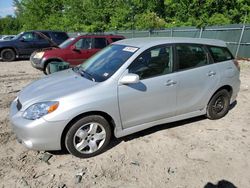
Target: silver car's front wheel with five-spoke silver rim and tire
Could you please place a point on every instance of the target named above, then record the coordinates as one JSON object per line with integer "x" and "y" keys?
{"x": 82, "y": 135}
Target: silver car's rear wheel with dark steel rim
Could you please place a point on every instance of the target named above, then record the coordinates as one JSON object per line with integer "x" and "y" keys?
{"x": 218, "y": 105}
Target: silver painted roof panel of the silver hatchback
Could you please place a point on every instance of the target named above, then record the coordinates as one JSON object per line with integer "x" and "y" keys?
{"x": 154, "y": 41}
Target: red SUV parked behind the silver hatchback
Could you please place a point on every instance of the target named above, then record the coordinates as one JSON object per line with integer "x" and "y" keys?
{"x": 74, "y": 50}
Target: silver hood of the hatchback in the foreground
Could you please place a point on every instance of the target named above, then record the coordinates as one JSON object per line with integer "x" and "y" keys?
{"x": 53, "y": 87}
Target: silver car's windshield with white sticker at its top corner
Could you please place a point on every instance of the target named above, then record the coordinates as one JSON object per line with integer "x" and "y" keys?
{"x": 106, "y": 62}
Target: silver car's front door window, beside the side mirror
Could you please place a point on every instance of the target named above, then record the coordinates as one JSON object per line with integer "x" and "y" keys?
{"x": 154, "y": 62}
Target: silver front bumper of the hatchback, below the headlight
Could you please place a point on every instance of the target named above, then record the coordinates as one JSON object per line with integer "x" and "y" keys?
{"x": 36, "y": 134}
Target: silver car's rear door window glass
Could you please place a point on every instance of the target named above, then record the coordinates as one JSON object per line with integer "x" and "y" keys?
{"x": 191, "y": 56}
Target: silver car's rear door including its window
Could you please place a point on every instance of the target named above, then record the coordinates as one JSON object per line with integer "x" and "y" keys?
{"x": 197, "y": 77}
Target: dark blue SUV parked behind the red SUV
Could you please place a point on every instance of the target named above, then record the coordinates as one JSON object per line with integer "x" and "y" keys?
{"x": 25, "y": 43}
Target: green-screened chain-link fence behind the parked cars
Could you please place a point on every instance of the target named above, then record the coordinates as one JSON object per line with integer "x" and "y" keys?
{"x": 236, "y": 36}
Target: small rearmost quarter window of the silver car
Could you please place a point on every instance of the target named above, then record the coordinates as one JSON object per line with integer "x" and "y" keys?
{"x": 220, "y": 53}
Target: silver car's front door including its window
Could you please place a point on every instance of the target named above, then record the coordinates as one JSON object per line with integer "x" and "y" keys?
{"x": 154, "y": 97}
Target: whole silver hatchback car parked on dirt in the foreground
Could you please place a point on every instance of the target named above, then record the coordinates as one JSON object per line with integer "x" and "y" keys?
{"x": 129, "y": 86}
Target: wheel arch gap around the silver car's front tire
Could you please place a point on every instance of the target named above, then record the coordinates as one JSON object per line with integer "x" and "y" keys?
{"x": 75, "y": 119}
